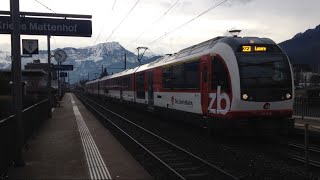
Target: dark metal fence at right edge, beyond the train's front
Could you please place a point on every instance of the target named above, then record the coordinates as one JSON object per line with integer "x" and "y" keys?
{"x": 304, "y": 106}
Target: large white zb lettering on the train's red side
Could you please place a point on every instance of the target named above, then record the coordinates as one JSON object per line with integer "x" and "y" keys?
{"x": 220, "y": 102}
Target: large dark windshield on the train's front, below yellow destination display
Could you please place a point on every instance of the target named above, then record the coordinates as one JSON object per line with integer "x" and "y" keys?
{"x": 264, "y": 75}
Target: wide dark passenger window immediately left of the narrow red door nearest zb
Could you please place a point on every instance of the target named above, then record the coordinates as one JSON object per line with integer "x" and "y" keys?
{"x": 182, "y": 76}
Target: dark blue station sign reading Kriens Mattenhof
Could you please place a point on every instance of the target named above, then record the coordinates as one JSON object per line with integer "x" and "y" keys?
{"x": 48, "y": 26}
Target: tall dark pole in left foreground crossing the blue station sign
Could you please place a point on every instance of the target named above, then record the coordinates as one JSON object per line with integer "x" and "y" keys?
{"x": 16, "y": 57}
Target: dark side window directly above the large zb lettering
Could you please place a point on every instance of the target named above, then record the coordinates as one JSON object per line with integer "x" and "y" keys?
{"x": 219, "y": 75}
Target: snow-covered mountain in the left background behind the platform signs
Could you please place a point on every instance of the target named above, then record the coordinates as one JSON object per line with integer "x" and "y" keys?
{"x": 89, "y": 60}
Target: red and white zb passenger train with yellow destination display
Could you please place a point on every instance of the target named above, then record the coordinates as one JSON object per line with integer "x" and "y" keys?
{"x": 227, "y": 81}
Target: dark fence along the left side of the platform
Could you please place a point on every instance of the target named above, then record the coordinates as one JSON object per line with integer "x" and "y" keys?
{"x": 32, "y": 118}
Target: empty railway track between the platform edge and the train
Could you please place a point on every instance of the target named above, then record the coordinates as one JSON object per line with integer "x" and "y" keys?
{"x": 177, "y": 162}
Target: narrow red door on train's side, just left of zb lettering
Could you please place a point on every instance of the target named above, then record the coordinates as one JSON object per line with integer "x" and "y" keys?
{"x": 204, "y": 69}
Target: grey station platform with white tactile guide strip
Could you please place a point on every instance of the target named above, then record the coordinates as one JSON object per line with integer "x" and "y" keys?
{"x": 74, "y": 145}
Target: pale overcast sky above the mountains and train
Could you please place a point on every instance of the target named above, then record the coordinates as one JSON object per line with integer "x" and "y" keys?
{"x": 147, "y": 22}
